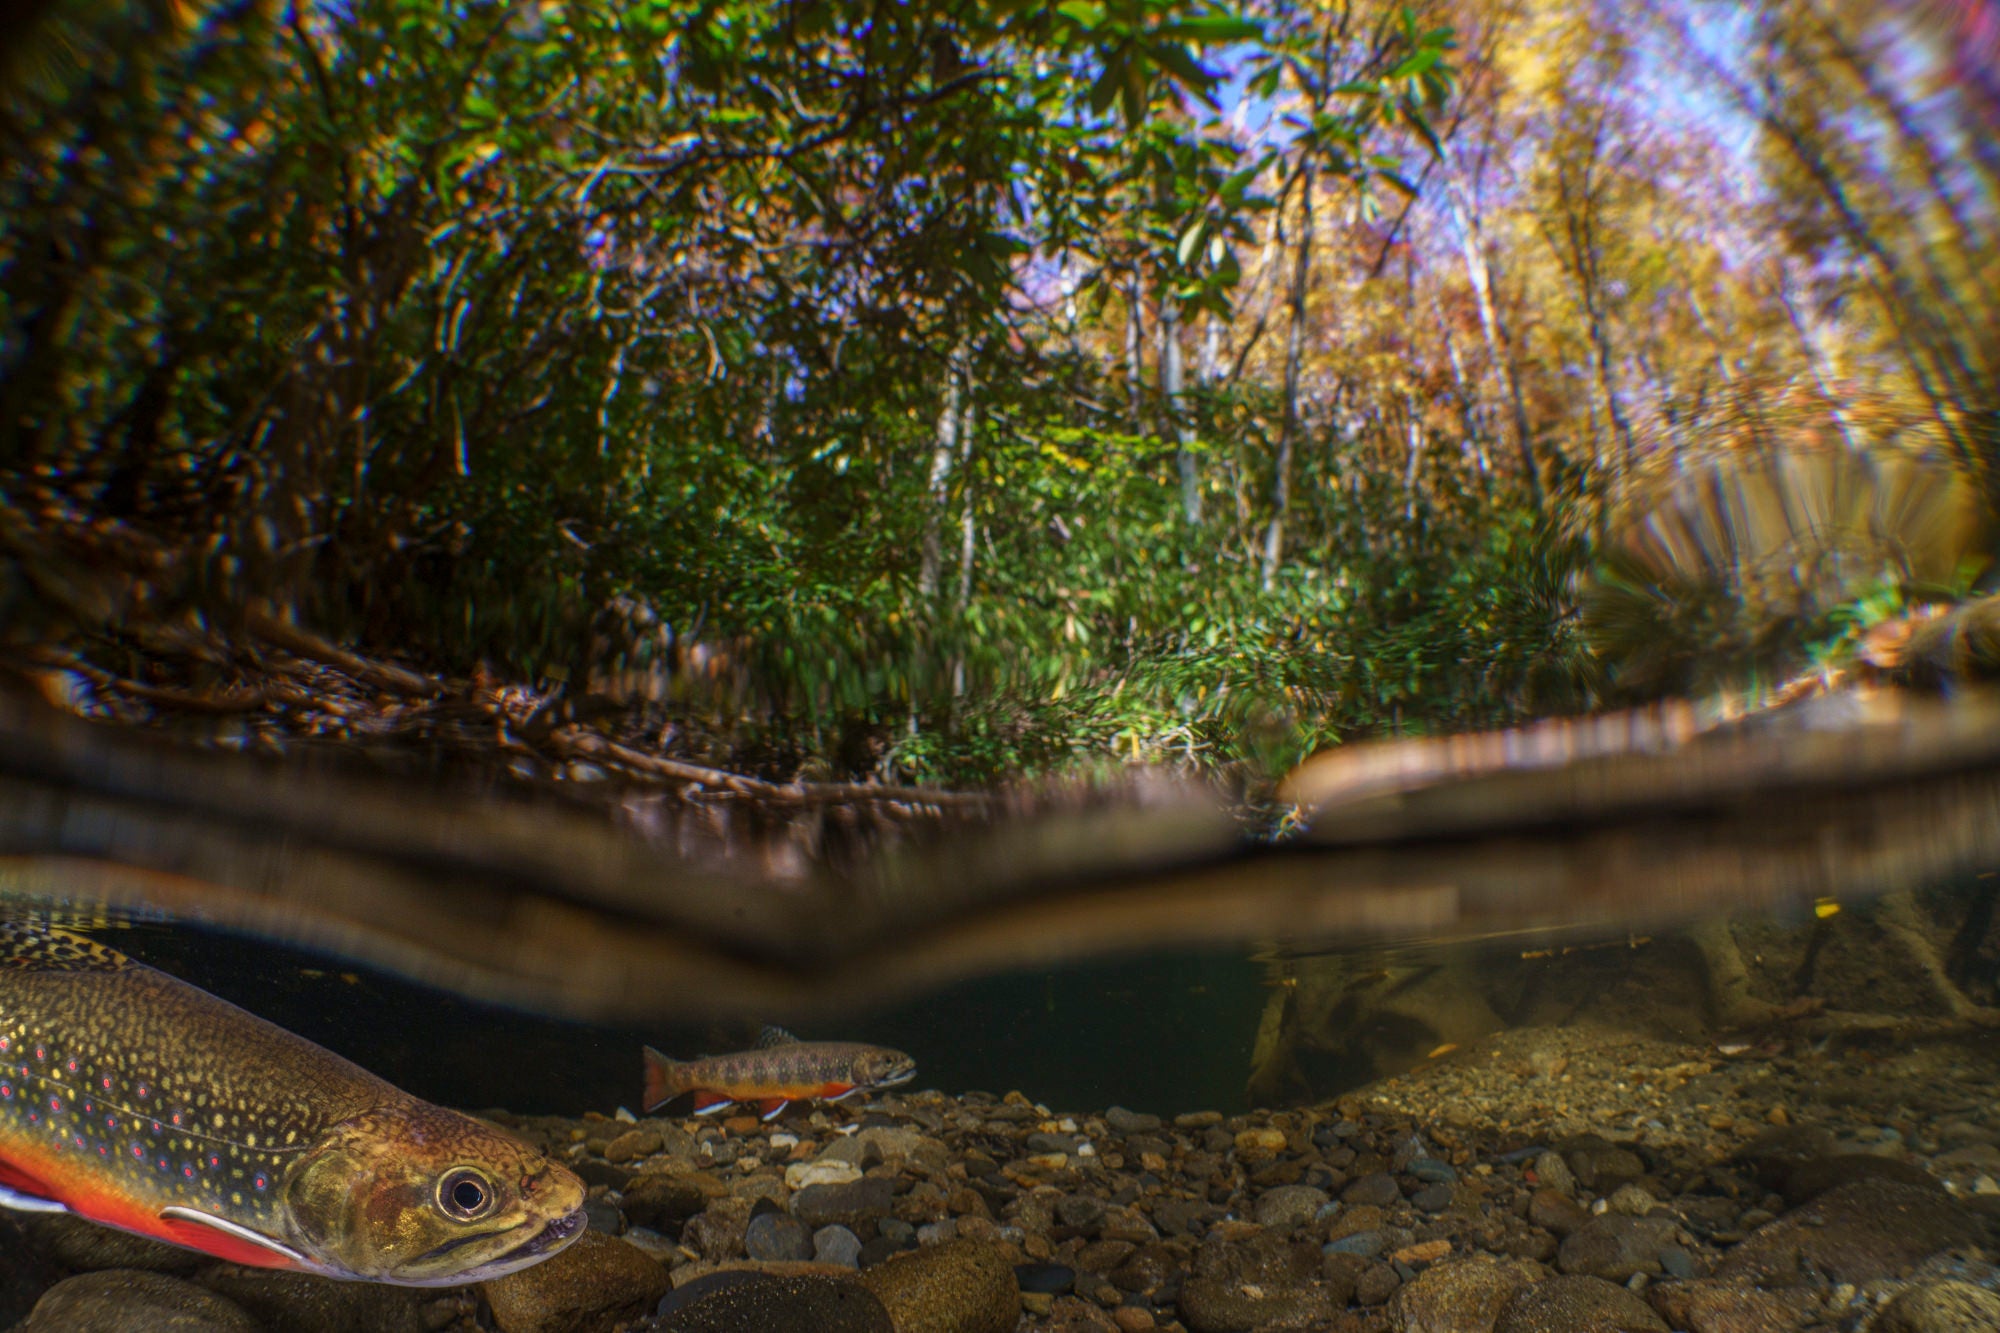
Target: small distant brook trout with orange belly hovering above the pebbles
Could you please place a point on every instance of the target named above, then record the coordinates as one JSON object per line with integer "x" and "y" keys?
{"x": 779, "y": 1072}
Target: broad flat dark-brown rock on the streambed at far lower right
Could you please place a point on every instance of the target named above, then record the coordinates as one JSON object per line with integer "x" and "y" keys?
{"x": 1855, "y": 1234}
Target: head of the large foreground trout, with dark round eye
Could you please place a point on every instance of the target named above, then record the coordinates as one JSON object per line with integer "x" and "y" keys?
{"x": 429, "y": 1198}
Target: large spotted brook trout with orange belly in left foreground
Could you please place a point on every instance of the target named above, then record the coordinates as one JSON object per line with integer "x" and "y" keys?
{"x": 145, "y": 1104}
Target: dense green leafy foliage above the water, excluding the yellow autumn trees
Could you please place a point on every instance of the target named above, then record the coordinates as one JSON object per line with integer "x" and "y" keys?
{"x": 449, "y": 323}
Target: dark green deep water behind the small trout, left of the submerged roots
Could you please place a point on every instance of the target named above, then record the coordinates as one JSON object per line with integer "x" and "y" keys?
{"x": 1161, "y": 1034}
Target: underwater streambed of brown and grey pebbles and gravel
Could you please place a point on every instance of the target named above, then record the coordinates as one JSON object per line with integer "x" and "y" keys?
{"x": 1539, "y": 1182}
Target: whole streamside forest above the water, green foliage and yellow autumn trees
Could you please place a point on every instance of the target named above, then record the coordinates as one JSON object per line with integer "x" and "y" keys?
{"x": 941, "y": 391}
